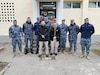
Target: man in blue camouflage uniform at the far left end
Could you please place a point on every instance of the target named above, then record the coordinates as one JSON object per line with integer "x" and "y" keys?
{"x": 15, "y": 34}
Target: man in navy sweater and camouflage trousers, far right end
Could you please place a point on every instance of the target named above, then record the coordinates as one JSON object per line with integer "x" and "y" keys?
{"x": 86, "y": 30}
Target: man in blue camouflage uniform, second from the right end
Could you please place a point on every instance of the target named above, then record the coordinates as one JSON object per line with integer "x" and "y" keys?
{"x": 73, "y": 32}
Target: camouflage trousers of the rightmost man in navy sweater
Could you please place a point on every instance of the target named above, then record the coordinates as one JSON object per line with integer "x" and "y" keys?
{"x": 85, "y": 43}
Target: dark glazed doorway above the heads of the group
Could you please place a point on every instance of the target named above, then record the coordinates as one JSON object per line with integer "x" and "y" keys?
{"x": 48, "y": 8}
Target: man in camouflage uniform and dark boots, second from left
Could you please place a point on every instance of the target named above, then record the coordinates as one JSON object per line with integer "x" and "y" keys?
{"x": 28, "y": 32}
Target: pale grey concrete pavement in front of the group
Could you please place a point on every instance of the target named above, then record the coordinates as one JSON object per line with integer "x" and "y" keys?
{"x": 65, "y": 64}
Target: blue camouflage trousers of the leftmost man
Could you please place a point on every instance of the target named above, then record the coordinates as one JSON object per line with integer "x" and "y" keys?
{"x": 15, "y": 42}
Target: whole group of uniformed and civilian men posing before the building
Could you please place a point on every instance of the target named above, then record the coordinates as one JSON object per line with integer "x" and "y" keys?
{"x": 51, "y": 35}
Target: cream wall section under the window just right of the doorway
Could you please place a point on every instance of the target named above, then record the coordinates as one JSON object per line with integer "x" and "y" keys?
{"x": 76, "y": 14}
